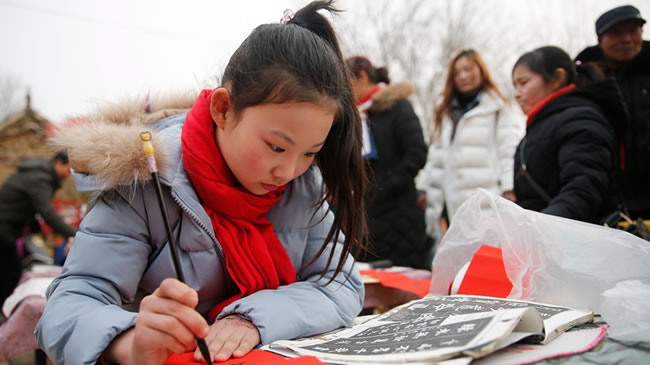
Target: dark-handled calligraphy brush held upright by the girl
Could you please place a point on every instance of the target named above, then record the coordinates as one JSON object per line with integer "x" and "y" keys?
{"x": 151, "y": 162}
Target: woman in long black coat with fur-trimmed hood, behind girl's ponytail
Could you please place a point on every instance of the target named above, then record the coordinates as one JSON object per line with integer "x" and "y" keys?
{"x": 394, "y": 150}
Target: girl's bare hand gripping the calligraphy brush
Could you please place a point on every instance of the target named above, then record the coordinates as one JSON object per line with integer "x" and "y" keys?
{"x": 167, "y": 323}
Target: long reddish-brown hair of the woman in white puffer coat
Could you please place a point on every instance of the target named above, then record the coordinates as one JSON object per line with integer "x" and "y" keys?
{"x": 444, "y": 107}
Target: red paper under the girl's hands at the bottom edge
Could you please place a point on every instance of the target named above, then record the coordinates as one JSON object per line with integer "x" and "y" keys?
{"x": 252, "y": 358}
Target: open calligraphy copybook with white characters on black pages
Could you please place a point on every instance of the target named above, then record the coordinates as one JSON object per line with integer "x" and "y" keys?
{"x": 437, "y": 328}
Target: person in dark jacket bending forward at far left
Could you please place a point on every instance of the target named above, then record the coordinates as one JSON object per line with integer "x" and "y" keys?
{"x": 25, "y": 193}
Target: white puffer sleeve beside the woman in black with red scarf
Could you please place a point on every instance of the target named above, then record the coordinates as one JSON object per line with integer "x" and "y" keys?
{"x": 510, "y": 130}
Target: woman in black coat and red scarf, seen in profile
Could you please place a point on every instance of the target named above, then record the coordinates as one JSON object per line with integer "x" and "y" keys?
{"x": 563, "y": 165}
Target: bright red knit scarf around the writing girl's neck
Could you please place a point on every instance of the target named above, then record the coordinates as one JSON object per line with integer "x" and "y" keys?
{"x": 255, "y": 258}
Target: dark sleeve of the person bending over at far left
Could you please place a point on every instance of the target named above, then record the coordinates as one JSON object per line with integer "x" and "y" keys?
{"x": 40, "y": 194}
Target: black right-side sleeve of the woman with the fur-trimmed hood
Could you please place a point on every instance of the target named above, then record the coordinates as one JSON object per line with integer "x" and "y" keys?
{"x": 410, "y": 140}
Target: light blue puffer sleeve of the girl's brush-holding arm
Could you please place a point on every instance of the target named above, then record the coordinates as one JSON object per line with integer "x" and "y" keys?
{"x": 83, "y": 312}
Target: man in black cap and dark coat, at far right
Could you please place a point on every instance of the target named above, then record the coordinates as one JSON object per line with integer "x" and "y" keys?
{"x": 627, "y": 56}
